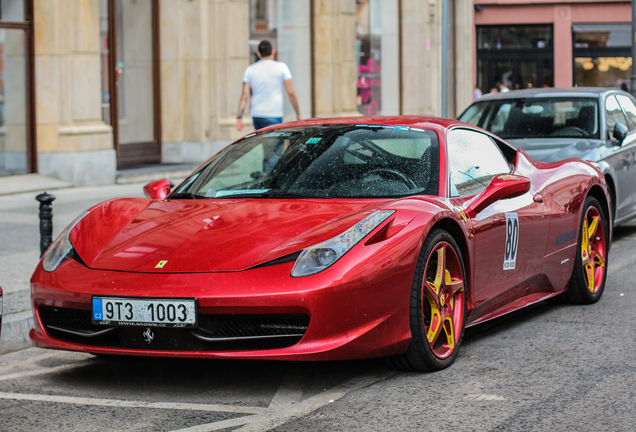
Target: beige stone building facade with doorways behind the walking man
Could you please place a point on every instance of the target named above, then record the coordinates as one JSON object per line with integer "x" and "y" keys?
{"x": 108, "y": 84}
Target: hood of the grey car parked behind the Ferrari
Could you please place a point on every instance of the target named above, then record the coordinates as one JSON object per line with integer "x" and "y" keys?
{"x": 557, "y": 149}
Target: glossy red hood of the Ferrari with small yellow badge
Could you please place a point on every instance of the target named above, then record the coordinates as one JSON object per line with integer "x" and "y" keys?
{"x": 133, "y": 234}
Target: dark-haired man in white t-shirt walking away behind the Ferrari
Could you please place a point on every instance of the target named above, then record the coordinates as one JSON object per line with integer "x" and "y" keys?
{"x": 266, "y": 79}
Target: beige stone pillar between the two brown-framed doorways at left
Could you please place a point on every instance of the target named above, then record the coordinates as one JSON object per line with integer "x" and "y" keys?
{"x": 68, "y": 77}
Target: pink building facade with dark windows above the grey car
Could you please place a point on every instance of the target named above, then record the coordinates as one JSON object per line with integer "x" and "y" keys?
{"x": 546, "y": 43}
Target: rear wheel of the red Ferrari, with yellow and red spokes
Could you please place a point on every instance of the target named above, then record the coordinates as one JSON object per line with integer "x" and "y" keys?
{"x": 590, "y": 263}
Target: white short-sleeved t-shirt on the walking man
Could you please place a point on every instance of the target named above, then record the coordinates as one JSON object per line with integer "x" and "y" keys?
{"x": 266, "y": 79}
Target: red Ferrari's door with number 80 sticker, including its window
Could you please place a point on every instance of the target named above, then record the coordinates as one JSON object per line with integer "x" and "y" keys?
{"x": 510, "y": 235}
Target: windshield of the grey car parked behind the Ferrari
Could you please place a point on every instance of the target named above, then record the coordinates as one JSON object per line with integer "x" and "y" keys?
{"x": 536, "y": 117}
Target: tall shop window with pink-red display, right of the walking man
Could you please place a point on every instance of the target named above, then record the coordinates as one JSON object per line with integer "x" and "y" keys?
{"x": 377, "y": 46}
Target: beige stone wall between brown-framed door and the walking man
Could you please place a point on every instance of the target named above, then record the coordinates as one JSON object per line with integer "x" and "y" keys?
{"x": 204, "y": 50}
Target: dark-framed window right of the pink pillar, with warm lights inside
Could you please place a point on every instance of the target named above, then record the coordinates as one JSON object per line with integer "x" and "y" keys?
{"x": 602, "y": 55}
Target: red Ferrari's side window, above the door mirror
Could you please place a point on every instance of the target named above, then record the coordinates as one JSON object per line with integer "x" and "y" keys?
{"x": 473, "y": 160}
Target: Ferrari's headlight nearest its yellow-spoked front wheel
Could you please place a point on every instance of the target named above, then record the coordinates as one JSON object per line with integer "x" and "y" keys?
{"x": 318, "y": 257}
